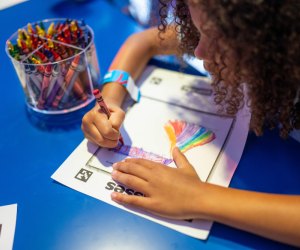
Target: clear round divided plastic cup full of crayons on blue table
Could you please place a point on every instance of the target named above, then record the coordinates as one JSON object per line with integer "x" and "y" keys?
{"x": 56, "y": 63}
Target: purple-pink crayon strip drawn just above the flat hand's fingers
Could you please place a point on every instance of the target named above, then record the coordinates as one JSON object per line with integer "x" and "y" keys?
{"x": 136, "y": 152}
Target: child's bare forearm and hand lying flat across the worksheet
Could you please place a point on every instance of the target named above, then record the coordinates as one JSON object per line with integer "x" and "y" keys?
{"x": 178, "y": 193}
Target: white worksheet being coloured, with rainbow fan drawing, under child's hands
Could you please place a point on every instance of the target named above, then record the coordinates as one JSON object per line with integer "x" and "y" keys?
{"x": 175, "y": 108}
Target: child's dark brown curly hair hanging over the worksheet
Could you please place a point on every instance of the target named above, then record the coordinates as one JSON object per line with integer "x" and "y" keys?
{"x": 264, "y": 37}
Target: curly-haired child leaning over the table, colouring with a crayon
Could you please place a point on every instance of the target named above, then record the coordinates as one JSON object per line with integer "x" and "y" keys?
{"x": 255, "y": 42}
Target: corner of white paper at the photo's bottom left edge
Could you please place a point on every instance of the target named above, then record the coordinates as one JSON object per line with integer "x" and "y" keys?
{"x": 8, "y": 216}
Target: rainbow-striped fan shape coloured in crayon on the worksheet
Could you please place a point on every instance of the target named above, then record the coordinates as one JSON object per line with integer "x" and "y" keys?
{"x": 187, "y": 135}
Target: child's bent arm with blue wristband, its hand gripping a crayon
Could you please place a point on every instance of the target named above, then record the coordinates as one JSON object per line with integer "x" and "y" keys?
{"x": 132, "y": 57}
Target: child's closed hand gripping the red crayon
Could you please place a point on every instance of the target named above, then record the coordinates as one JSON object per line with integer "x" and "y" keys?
{"x": 101, "y": 130}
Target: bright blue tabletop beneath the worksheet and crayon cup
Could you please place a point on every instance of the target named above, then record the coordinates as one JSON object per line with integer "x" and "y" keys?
{"x": 52, "y": 216}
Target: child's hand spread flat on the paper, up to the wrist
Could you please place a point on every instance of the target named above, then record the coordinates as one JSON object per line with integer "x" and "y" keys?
{"x": 169, "y": 192}
